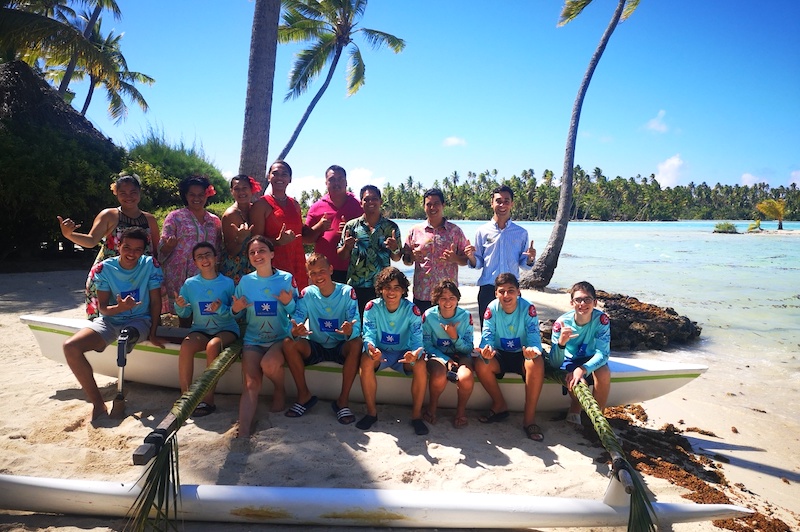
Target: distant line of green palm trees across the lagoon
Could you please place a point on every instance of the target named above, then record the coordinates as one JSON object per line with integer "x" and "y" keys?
{"x": 596, "y": 197}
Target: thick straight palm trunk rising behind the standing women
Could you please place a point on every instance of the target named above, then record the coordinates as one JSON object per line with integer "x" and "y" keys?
{"x": 260, "y": 81}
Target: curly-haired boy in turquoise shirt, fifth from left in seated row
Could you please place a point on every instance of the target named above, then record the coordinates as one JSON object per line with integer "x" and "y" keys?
{"x": 393, "y": 339}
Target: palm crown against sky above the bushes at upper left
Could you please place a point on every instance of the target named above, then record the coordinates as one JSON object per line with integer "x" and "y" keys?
{"x": 119, "y": 83}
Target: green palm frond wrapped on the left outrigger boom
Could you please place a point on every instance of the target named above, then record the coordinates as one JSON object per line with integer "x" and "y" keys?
{"x": 160, "y": 495}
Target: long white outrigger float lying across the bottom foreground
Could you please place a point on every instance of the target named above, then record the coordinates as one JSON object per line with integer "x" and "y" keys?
{"x": 347, "y": 507}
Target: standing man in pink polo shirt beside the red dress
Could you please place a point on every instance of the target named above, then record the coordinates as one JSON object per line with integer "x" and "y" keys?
{"x": 338, "y": 206}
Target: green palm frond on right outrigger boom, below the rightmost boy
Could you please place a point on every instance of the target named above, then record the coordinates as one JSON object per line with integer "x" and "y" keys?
{"x": 642, "y": 516}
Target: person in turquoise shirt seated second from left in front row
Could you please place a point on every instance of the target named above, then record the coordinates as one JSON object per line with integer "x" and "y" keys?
{"x": 206, "y": 297}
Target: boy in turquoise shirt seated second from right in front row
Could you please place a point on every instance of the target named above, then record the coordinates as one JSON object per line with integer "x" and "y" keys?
{"x": 511, "y": 342}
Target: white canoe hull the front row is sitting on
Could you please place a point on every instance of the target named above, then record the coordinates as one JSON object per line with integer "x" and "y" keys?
{"x": 633, "y": 380}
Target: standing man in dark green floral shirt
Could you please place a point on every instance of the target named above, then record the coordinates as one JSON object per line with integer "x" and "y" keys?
{"x": 368, "y": 242}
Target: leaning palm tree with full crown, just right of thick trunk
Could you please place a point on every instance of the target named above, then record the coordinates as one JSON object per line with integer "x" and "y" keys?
{"x": 330, "y": 25}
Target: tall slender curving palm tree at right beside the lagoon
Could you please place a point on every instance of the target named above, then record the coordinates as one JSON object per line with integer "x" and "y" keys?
{"x": 542, "y": 272}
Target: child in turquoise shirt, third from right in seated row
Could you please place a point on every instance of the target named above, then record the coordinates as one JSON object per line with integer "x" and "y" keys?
{"x": 447, "y": 335}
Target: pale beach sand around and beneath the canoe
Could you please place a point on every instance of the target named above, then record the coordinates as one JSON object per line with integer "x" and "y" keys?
{"x": 738, "y": 451}
